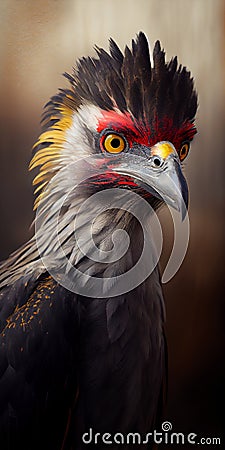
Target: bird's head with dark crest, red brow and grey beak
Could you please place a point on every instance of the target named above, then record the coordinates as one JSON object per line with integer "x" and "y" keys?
{"x": 135, "y": 117}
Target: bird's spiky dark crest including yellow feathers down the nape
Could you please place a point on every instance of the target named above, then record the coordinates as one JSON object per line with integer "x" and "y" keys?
{"x": 159, "y": 97}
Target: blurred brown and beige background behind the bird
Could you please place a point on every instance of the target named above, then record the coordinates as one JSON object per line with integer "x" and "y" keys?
{"x": 39, "y": 41}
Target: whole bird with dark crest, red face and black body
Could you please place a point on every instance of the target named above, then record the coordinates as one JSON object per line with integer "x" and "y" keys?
{"x": 83, "y": 356}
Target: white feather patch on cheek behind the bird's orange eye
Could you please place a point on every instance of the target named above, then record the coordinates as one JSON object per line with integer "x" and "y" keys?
{"x": 76, "y": 142}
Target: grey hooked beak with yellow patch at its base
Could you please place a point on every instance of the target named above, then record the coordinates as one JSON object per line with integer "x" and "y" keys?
{"x": 160, "y": 174}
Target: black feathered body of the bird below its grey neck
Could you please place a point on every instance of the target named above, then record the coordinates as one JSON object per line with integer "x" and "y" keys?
{"x": 69, "y": 364}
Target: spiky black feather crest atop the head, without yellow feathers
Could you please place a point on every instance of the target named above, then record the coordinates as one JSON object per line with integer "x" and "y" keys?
{"x": 152, "y": 94}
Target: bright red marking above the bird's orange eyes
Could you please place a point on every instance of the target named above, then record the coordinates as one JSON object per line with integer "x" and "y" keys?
{"x": 138, "y": 132}
